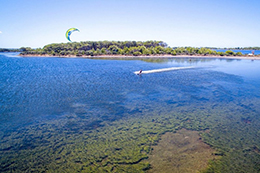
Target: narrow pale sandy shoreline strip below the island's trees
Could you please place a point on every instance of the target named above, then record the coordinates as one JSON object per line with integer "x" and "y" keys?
{"x": 149, "y": 56}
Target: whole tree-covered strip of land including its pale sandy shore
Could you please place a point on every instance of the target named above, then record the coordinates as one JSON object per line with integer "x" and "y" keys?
{"x": 130, "y": 50}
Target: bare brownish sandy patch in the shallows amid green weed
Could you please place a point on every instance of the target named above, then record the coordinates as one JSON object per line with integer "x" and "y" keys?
{"x": 183, "y": 151}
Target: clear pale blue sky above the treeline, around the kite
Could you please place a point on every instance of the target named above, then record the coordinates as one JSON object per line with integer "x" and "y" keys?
{"x": 198, "y": 23}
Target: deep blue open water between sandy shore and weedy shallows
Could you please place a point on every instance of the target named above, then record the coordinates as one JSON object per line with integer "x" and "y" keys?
{"x": 35, "y": 91}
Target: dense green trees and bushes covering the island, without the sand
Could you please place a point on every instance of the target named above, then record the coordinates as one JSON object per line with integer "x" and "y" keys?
{"x": 124, "y": 48}
